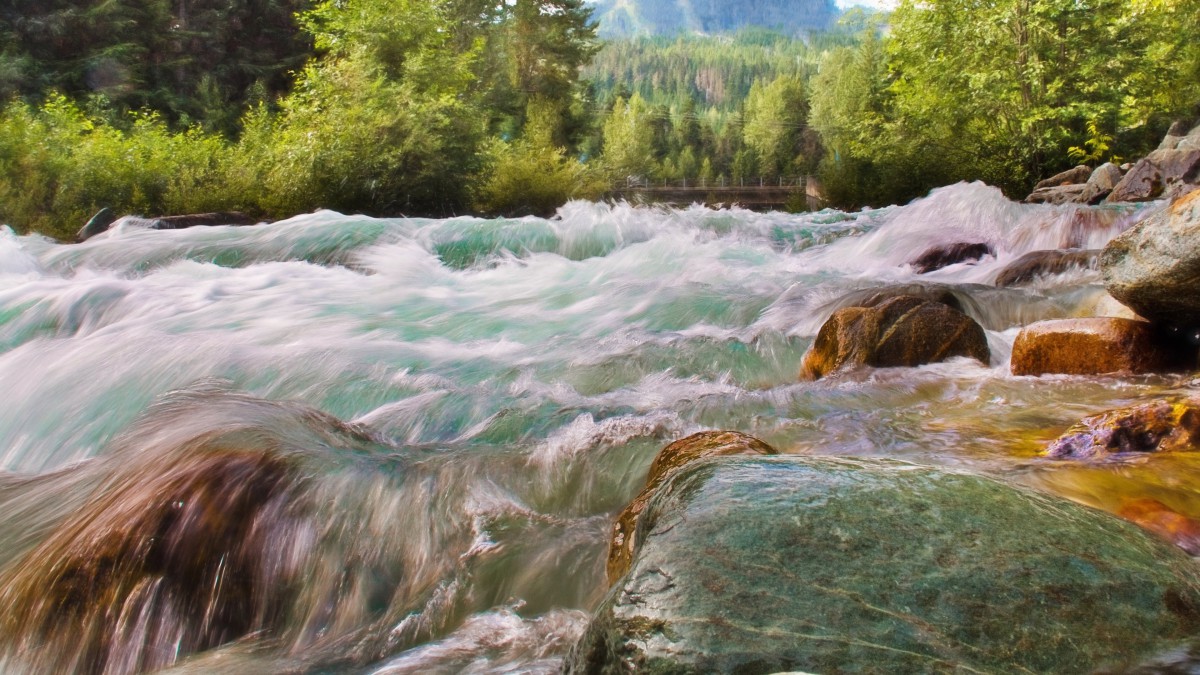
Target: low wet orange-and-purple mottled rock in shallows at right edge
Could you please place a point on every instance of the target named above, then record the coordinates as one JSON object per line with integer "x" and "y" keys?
{"x": 1144, "y": 428}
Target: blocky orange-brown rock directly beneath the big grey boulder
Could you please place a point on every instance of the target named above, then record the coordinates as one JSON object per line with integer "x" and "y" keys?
{"x": 1097, "y": 347}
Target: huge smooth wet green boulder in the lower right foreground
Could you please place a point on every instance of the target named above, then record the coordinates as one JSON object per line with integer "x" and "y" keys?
{"x": 764, "y": 565}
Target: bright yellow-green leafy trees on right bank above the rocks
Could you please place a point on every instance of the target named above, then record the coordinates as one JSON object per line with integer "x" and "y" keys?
{"x": 1000, "y": 92}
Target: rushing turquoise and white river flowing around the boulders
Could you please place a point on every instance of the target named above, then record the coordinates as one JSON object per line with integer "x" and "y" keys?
{"x": 421, "y": 431}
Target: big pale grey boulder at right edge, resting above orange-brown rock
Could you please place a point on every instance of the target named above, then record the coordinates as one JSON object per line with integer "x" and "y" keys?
{"x": 1154, "y": 267}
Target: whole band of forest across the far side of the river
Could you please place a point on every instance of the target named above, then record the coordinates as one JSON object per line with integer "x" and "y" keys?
{"x": 439, "y": 107}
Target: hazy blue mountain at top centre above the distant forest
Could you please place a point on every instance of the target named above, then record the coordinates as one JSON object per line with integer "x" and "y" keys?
{"x": 621, "y": 19}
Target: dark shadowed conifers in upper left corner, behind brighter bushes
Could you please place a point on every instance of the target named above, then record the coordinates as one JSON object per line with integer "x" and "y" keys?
{"x": 190, "y": 61}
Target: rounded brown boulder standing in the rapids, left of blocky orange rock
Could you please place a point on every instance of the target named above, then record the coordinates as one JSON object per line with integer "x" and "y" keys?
{"x": 903, "y": 331}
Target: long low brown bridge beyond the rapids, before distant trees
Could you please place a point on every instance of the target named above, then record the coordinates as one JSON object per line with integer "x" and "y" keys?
{"x": 760, "y": 195}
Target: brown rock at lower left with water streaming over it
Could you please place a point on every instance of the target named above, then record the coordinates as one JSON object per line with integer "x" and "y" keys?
{"x": 181, "y": 560}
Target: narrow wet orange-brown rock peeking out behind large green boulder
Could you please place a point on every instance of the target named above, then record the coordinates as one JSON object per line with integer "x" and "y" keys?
{"x": 669, "y": 461}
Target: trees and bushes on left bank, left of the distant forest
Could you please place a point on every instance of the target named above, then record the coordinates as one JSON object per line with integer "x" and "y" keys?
{"x": 387, "y": 118}
